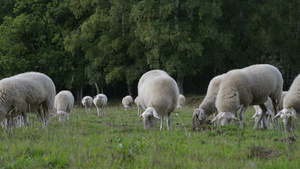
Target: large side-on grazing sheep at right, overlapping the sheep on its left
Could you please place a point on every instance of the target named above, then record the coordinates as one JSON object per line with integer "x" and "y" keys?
{"x": 248, "y": 86}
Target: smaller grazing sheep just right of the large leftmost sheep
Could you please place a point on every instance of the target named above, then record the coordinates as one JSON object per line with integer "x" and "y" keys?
{"x": 64, "y": 102}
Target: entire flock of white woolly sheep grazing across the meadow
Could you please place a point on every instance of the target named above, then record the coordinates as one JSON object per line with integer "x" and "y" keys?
{"x": 158, "y": 96}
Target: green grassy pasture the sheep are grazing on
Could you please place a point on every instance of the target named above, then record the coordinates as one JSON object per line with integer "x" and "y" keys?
{"x": 118, "y": 140}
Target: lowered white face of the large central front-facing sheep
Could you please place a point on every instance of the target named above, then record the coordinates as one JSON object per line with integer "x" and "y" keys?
{"x": 150, "y": 118}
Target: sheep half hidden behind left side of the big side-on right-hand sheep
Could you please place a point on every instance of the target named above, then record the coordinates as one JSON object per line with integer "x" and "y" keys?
{"x": 207, "y": 107}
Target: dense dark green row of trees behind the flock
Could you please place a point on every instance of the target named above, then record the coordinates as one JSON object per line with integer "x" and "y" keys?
{"x": 82, "y": 44}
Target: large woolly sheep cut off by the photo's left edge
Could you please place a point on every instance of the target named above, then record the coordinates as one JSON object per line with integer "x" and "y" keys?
{"x": 27, "y": 91}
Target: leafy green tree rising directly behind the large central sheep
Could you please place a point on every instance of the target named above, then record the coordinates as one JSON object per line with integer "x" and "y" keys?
{"x": 174, "y": 33}
